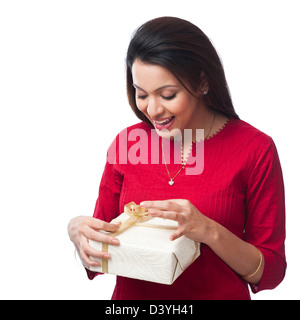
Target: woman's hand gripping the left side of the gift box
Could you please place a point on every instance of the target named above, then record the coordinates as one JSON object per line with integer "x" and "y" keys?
{"x": 83, "y": 228}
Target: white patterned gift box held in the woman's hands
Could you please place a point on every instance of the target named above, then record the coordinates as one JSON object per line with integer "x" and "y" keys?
{"x": 146, "y": 252}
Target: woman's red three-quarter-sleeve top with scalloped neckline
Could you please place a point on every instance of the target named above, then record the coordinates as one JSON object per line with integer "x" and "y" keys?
{"x": 241, "y": 187}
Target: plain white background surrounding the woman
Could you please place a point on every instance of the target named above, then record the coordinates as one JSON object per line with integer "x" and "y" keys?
{"x": 63, "y": 100}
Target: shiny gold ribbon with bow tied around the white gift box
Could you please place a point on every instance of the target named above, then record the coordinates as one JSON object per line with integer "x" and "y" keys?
{"x": 138, "y": 215}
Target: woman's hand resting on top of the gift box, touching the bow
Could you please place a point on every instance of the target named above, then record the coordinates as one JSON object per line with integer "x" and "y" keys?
{"x": 191, "y": 222}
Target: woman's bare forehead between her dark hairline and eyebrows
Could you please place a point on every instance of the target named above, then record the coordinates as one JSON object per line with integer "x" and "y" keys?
{"x": 149, "y": 77}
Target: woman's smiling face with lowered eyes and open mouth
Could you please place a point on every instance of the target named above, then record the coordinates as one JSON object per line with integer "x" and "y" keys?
{"x": 163, "y": 99}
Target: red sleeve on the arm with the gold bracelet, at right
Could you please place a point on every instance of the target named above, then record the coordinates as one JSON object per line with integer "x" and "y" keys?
{"x": 265, "y": 224}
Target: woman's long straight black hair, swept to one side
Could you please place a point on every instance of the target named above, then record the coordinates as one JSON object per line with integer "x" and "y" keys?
{"x": 184, "y": 50}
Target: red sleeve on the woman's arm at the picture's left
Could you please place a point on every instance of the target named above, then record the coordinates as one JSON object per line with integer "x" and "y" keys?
{"x": 107, "y": 204}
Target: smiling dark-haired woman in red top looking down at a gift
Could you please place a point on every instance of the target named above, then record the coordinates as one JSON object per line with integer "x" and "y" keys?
{"x": 234, "y": 206}
